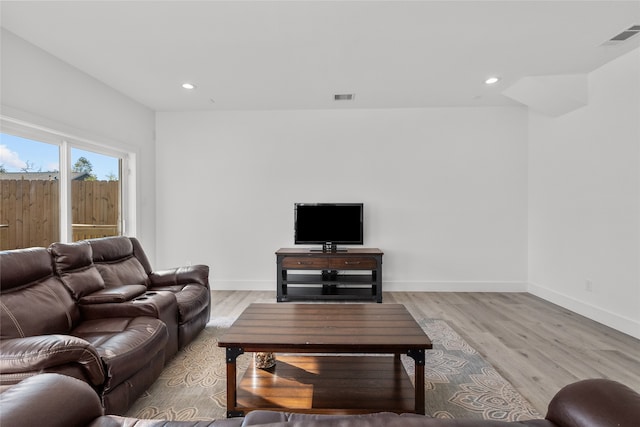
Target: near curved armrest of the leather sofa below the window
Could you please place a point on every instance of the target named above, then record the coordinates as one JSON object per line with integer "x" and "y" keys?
{"x": 42, "y": 352}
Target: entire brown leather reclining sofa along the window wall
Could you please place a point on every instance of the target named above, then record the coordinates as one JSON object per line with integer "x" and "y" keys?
{"x": 96, "y": 311}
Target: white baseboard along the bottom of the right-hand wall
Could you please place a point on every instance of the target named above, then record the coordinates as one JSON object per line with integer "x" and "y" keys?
{"x": 600, "y": 315}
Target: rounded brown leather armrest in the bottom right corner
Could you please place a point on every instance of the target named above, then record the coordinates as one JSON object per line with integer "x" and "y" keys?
{"x": 595, "y": 403}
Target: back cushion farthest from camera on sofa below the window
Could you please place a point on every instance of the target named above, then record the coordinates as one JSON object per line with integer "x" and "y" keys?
{"x": 116, "y": 262}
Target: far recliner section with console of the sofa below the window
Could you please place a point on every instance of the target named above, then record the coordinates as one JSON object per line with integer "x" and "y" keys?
{"x": 127, "y": 286}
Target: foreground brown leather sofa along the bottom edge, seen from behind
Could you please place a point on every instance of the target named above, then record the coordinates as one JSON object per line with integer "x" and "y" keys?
{"x": 59, "y": 401}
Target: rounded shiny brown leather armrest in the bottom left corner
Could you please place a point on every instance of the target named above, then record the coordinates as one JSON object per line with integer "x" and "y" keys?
{"x": 51, "y": 400}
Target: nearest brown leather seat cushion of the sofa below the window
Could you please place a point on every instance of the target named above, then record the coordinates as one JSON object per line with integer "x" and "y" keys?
{"x": 124, "y": 344}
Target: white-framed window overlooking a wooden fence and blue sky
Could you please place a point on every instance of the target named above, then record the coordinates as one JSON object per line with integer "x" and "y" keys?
{"x": 58, "y": 188}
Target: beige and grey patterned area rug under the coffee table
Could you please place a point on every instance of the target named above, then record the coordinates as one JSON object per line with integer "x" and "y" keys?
{"x": 459, "y": 382}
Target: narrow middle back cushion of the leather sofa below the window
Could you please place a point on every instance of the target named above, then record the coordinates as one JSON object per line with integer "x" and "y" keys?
{"x": 74, "y": 265}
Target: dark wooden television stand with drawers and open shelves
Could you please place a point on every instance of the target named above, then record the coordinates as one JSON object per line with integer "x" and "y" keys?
{"x": 349, "y": 274}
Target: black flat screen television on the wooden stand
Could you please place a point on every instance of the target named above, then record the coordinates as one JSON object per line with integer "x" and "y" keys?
{"x": 328, "y": 224}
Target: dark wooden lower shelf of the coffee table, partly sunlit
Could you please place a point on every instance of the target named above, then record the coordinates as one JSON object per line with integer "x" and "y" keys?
{"x": 328, "y": 384}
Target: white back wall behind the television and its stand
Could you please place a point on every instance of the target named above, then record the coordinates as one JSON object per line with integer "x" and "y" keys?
{"x": 444, "y": 190}
